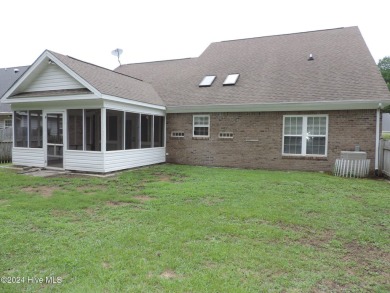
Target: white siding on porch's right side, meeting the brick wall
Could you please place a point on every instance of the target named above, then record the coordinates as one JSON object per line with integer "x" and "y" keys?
{"x": 119, "y": 160}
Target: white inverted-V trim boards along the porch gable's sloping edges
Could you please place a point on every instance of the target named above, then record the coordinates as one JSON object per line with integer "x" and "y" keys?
{"x": 45, "y": 57}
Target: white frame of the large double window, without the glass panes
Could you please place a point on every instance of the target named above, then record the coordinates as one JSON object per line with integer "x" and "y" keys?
{"x": 306, "y": 135}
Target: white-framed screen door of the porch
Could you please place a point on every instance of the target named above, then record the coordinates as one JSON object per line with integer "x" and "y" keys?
{"x": 55, "y": 143}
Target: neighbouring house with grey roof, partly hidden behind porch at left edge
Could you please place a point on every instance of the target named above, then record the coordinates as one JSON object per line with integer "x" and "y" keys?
{"x": 7, "y": 77}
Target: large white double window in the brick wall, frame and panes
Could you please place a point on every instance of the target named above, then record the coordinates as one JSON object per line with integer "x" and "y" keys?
{"x": 305, "y": 135}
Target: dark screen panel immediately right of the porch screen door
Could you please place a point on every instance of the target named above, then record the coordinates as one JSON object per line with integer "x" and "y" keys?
{"x": 75, "y": 130}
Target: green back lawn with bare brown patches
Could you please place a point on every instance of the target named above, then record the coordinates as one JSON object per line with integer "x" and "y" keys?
{"x": 172, "y": 228}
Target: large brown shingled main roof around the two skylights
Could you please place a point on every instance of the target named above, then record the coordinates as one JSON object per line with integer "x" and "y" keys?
{"x": 272, "y": 69}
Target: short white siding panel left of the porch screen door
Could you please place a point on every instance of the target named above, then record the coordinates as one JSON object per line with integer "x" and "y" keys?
{"x": 28, "y": 157}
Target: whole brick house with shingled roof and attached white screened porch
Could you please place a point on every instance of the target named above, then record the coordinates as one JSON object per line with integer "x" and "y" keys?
{"x": 290, "y": 102}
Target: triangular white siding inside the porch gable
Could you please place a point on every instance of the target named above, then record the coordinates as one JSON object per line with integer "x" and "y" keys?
{"x": 53, "y": 78}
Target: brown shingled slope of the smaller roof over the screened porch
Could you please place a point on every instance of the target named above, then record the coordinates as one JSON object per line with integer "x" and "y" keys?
{"x": 112, "y": 83}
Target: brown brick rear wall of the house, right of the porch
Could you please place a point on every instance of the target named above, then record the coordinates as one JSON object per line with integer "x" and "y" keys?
{"x": 257, "y": 140}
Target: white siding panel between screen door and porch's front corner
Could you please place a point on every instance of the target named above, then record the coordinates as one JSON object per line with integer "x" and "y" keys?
{"x": 84, "y": 161}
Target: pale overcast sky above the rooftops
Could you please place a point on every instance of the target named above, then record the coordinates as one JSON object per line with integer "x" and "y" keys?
{"x": 149, "y": 30}
